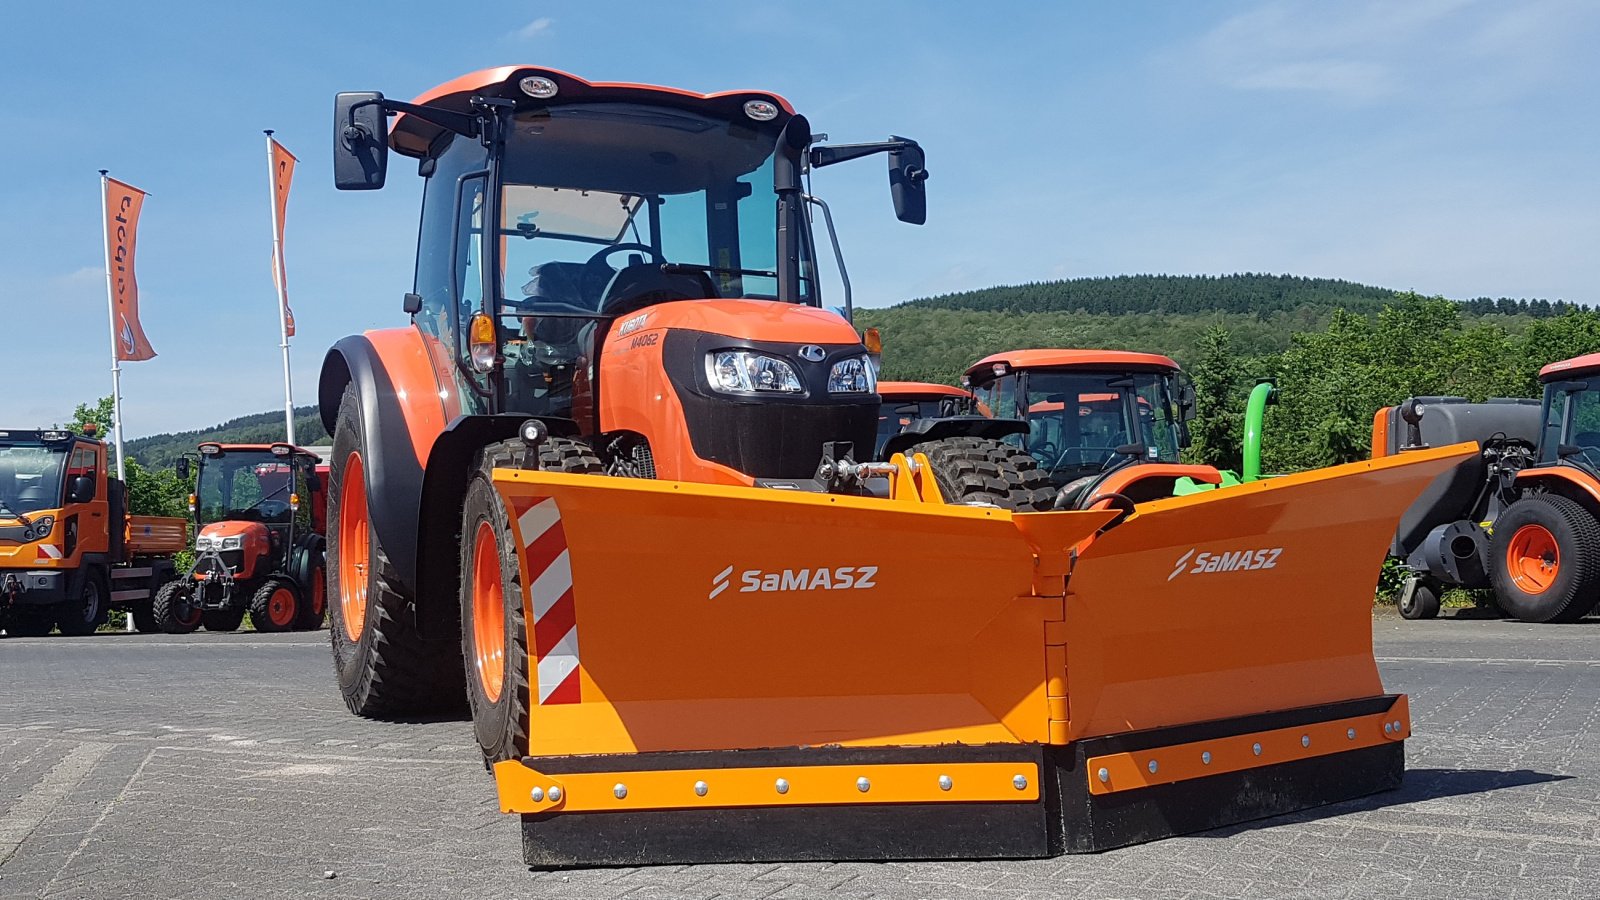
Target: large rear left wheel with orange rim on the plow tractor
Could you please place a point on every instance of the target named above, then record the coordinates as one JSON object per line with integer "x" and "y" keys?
{"x": 385, "y": 667}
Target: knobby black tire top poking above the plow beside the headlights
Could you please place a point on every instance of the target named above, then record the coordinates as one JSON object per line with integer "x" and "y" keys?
{"x": 980, "y": 472}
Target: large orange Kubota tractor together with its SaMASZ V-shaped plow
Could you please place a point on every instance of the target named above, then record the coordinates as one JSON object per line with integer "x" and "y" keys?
{"x": 615, "y": 486}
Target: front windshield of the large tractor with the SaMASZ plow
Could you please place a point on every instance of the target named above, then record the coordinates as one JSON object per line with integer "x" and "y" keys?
{"x": 610, "y": 207}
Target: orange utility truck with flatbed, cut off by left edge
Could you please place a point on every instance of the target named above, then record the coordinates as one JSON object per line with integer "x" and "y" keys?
{"x": 70, "y": 552}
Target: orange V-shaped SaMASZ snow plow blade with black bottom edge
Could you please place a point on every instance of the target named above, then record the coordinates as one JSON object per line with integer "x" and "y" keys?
{"x": 727, "y": 673}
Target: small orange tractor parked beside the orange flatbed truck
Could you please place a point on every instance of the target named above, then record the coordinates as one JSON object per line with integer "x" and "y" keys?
{"x": 258, "y": 544}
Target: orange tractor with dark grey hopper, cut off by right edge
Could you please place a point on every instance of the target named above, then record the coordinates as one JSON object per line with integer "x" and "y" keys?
{"x": 1524, "y": 515}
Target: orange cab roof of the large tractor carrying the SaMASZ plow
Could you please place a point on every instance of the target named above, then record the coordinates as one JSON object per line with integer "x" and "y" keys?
{"x": 414, "y": 137}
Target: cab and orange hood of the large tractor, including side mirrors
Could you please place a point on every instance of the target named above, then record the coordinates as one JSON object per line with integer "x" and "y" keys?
{"x": 566, "y": 228}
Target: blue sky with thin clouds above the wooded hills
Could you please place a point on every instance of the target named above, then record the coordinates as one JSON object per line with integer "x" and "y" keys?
{"x": 1442, "y": 147}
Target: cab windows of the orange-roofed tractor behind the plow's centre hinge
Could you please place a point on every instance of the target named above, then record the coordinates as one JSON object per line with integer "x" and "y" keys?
{"x": 1078, "y": 420}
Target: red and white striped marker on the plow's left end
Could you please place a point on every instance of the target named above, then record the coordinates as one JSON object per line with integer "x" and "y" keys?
{"x": 551, "y": 598}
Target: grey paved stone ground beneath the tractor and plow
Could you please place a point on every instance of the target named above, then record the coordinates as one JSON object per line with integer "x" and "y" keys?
{"x": 225, "y": 766}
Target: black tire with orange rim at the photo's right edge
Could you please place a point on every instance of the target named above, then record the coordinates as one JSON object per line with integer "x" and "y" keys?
{"x": 1546, "y": 560}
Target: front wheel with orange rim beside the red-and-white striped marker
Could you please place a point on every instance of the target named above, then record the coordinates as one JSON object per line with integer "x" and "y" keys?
{"x": 494, "y": 629}
